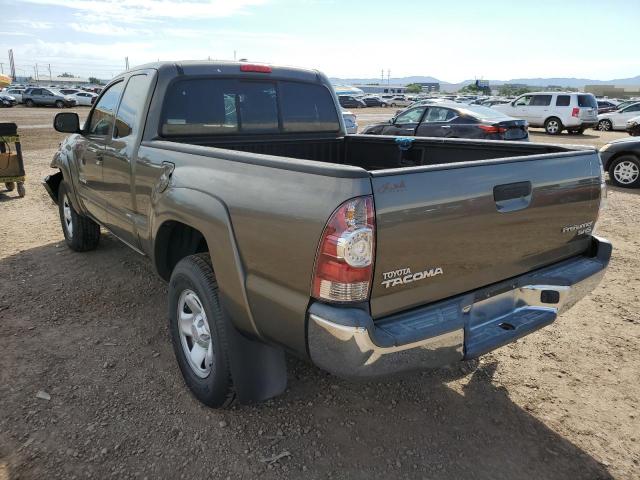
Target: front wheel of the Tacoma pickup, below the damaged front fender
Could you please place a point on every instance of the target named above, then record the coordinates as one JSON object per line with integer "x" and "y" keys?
{"x": 83, "y": 234}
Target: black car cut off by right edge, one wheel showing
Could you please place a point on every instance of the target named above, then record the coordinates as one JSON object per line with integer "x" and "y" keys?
{"x": 621, "y": 158}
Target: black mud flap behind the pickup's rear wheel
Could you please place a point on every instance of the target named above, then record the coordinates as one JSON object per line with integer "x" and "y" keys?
{"x": 259, "y": 370}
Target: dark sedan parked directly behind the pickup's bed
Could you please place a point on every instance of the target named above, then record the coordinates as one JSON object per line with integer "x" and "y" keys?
{"x": 452, "y": 120}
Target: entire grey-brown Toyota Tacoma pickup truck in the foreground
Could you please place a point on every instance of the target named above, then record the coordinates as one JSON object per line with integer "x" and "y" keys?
{"x": 277, "y": 232}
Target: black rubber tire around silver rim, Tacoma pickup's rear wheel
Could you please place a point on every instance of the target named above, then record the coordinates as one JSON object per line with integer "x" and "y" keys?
{"x": 194, "y": 273}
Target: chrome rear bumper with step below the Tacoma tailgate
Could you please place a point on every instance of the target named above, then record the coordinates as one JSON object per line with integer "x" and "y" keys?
{"x": 347, "y": 342}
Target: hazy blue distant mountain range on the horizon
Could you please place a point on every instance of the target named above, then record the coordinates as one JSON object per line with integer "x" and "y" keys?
{"x": 534, "y": 82}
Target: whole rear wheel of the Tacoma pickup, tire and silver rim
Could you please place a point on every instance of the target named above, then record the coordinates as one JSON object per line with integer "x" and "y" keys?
{"x": 197, "y": 328}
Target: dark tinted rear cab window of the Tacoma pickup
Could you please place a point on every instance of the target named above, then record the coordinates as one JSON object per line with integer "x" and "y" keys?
{"x": 208, "y": 106}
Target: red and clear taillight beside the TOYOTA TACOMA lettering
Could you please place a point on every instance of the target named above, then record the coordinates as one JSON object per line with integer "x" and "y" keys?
{"x": 344, "y": 262}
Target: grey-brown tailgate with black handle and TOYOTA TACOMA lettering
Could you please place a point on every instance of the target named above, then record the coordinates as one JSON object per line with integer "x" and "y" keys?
{"x": 447, "y": 229}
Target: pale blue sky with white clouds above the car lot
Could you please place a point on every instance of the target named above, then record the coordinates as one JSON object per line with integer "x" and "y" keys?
{"x": 452, "y": 41}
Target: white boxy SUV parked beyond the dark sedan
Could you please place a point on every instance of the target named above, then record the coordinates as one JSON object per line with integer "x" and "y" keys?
{"x": 555, "y": 111}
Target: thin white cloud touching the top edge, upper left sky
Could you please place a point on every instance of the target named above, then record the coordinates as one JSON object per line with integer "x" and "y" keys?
{"x": 125, "y": 10}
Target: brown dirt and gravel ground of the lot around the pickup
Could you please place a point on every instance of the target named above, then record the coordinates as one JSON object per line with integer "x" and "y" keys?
{"x": 90, "y": 331}
